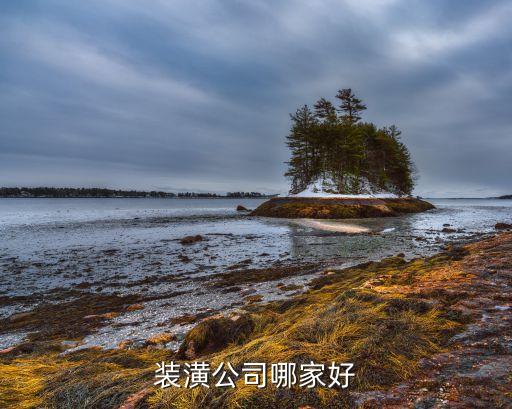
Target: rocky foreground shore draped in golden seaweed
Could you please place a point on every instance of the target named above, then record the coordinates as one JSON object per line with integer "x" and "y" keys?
{"x": 425, "y": 333}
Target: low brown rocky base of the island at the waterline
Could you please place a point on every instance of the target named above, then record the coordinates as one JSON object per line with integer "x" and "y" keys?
{"x": 339, "y": 208}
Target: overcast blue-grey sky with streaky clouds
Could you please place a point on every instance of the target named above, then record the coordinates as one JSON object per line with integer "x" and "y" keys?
{"x": 195, "y": 94}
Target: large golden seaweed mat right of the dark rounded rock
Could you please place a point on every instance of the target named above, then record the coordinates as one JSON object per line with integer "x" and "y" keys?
{"x": 384, "y": 334}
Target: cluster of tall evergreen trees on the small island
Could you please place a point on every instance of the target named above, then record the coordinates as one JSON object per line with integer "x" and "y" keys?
{"x": 332, "y": 149}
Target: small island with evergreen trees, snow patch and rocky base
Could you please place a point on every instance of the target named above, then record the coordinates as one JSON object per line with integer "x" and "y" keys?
{"x": 343, "y": 168}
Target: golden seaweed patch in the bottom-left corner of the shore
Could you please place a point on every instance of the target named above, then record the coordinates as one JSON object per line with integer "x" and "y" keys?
{"x": 87, "y": 379}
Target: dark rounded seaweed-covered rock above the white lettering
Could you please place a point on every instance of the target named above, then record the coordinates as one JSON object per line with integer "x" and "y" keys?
{"x": 214, "y": 334}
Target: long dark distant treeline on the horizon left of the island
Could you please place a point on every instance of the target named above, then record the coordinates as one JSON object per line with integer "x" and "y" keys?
{"x": 66, "y": 192}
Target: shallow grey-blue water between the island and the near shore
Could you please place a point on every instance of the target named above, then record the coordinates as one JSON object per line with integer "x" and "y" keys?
{"x": 115, "y": 245}
